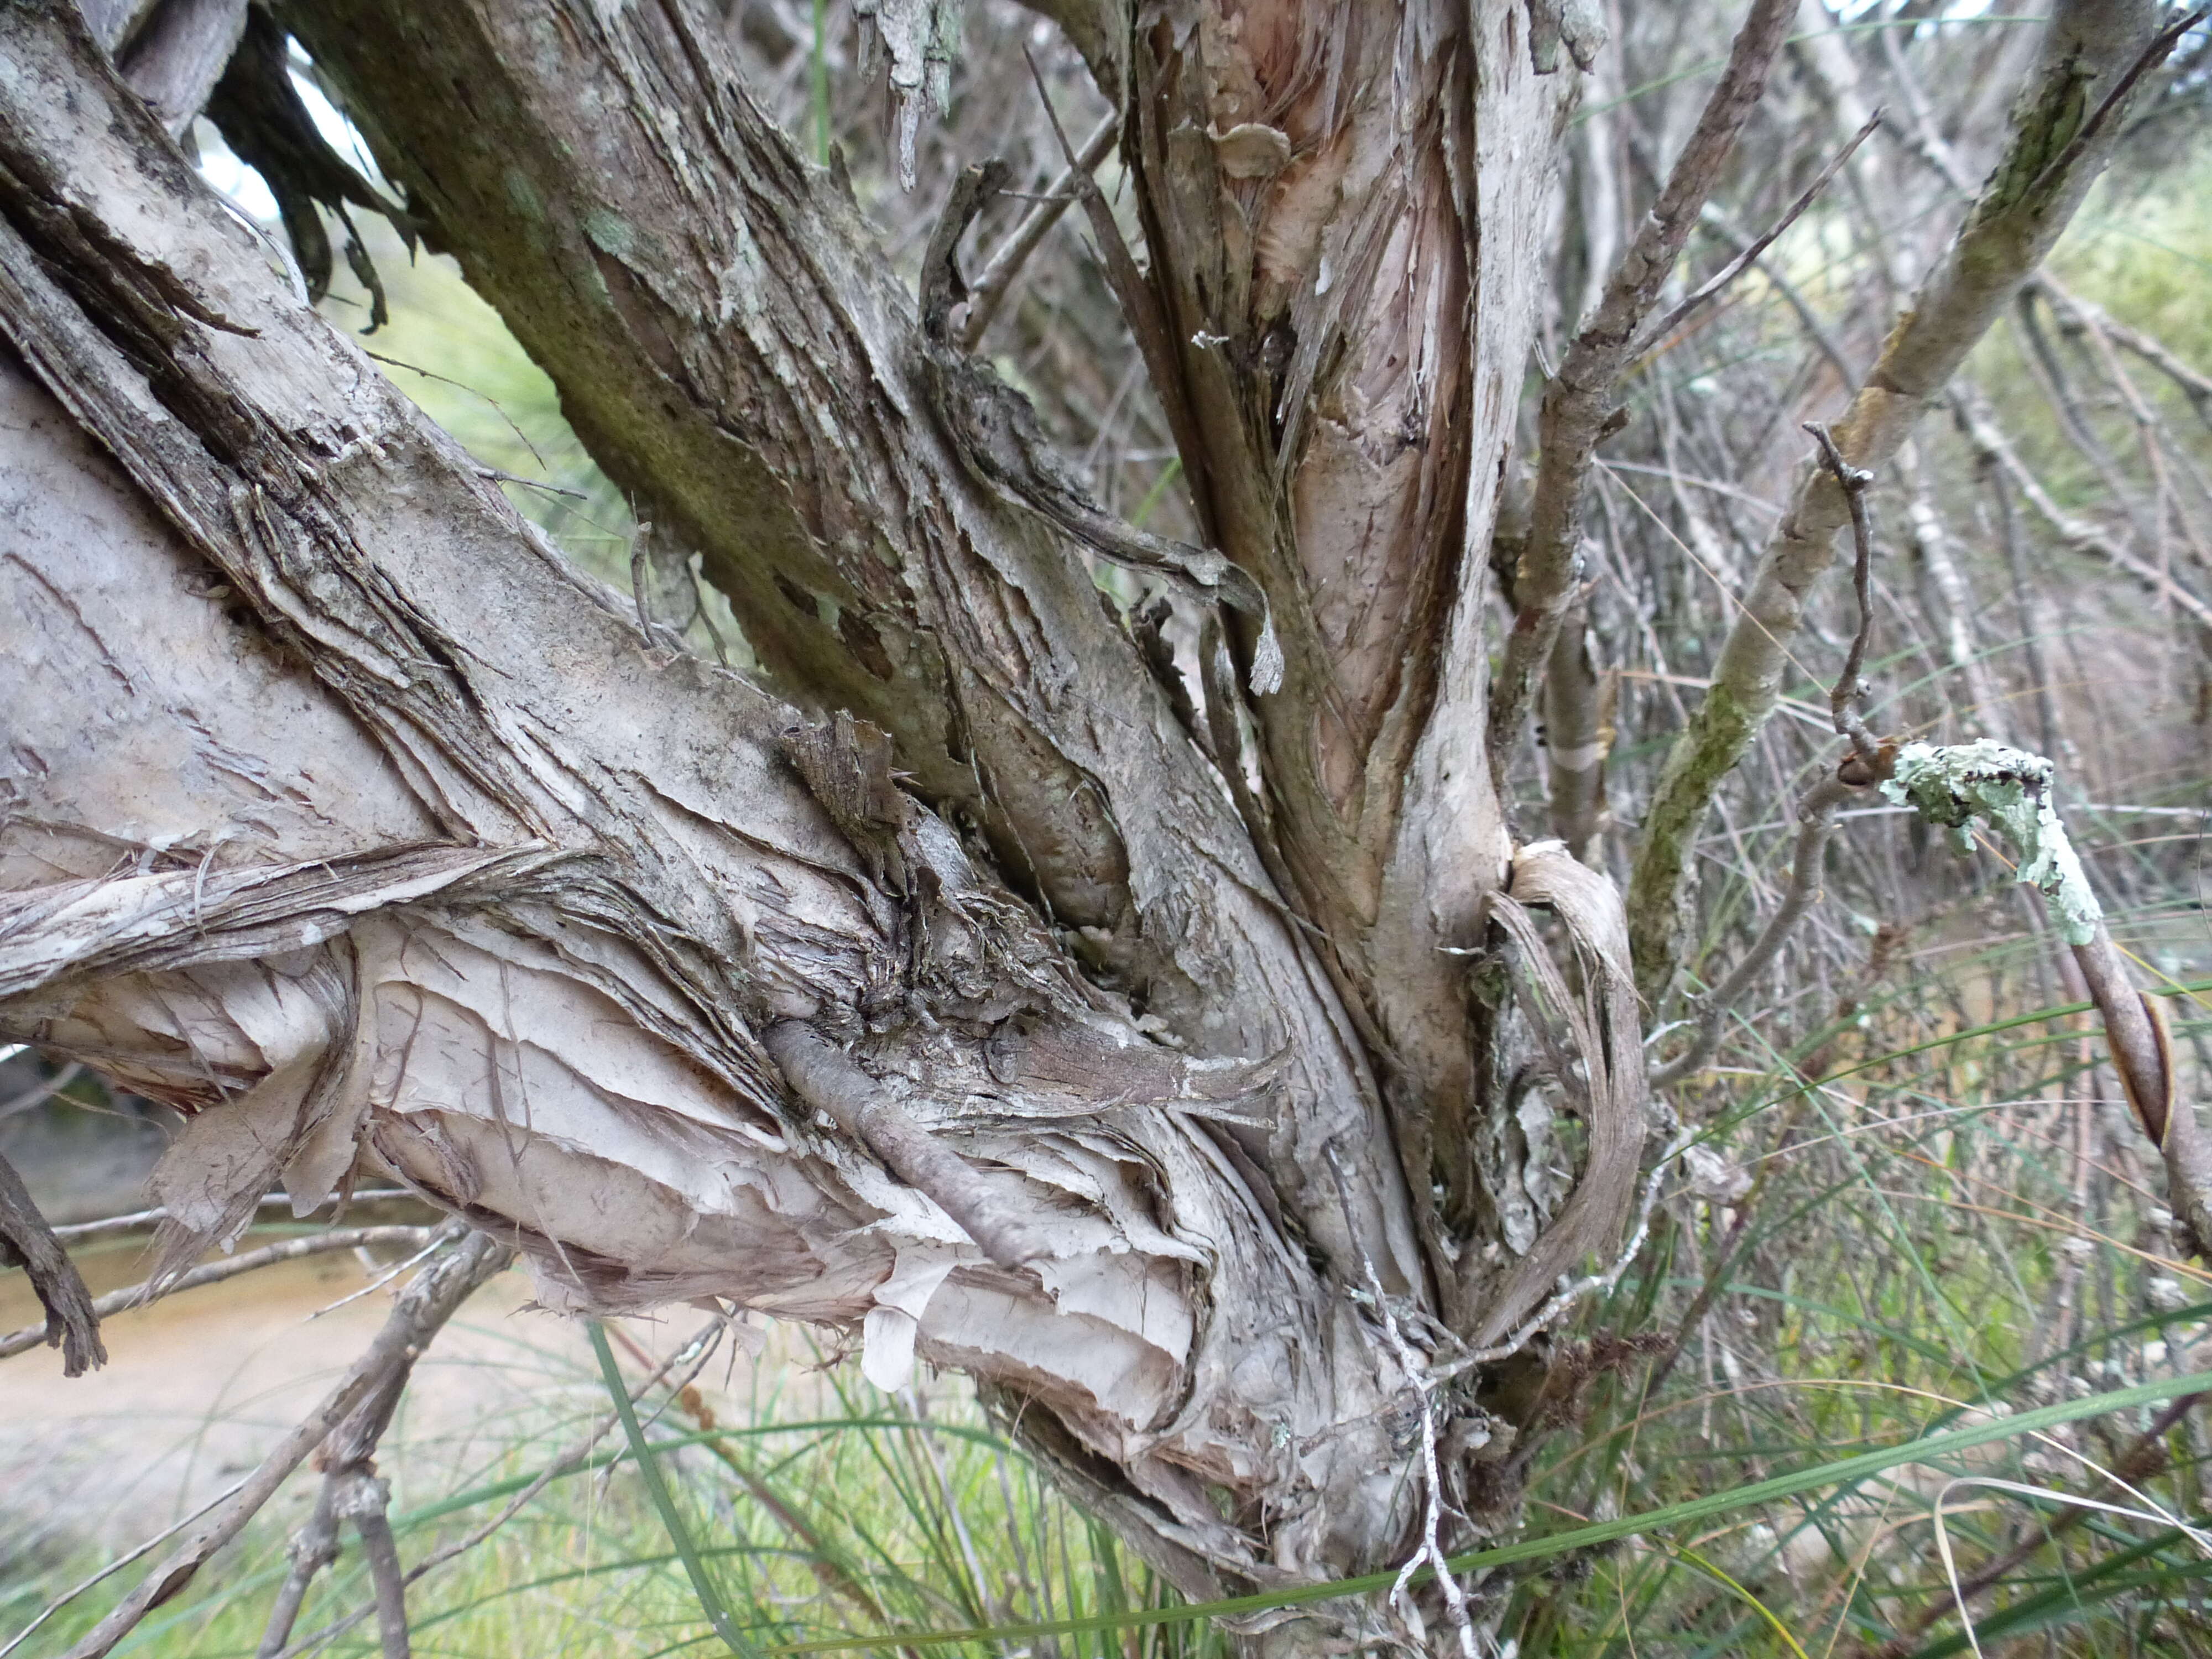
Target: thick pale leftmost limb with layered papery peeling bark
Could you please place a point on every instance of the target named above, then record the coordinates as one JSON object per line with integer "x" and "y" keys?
{"x": 355, "y": 824}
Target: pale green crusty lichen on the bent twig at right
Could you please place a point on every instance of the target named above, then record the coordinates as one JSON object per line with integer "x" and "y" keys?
{"x": 2010, "y": 791}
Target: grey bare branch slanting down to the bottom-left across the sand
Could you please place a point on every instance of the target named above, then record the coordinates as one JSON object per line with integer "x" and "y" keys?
{"x": 424, "y": 1308}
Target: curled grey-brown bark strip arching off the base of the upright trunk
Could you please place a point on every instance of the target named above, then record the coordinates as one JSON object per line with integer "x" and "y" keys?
{"x": 1605, "y": 1030}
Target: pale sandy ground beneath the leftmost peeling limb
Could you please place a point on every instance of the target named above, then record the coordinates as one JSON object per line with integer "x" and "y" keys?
{"x": 200, "y": 1386}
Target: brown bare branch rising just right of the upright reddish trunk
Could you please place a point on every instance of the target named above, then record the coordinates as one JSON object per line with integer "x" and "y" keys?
{"x": 1580, "y": 406}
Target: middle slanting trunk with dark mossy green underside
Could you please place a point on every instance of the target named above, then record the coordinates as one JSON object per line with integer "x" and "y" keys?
{"x": 738, "y": 353}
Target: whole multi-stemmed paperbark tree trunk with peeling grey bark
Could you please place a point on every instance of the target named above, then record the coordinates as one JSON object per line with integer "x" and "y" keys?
{"x": 943, "y": 985}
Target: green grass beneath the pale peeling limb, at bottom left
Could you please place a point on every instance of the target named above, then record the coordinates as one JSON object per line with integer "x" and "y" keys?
{"x": 817, "y": 1514}
